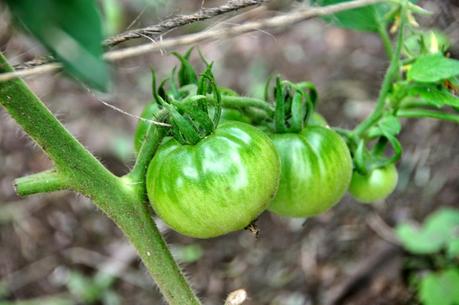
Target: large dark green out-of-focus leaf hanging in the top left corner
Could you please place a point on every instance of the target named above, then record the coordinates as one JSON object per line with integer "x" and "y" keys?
{"x": 72, "y": 32}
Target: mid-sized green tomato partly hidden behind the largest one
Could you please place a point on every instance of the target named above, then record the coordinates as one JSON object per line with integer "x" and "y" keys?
{"x": 316, "y": 169}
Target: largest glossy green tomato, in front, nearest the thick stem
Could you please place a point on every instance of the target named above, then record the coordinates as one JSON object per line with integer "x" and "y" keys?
{"x": 217, "y": 186}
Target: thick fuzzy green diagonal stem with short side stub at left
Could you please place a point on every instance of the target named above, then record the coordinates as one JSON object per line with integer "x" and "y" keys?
{"x": 120, "y": 198}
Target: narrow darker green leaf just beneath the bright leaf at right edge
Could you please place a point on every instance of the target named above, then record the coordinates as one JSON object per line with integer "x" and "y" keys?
{"x": 437, "y": 97}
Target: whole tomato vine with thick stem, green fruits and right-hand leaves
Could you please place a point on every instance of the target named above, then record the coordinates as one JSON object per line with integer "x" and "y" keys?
{"x": 207, "y": 175}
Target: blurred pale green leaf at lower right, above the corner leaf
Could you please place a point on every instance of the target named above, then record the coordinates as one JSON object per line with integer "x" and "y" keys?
{"x": 439, "y": 230}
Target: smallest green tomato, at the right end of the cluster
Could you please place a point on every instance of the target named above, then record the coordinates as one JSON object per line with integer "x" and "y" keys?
{"x": 375, "y": 186}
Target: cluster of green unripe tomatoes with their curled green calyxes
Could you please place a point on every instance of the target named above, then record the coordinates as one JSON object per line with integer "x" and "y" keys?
{"x": 289, "y": 162}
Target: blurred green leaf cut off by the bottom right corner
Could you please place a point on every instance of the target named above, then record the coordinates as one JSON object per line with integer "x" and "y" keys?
{"x": 440, "y": 288}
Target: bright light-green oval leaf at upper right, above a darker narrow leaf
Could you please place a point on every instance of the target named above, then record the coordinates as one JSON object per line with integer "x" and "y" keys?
{"x": 433, "y": 68}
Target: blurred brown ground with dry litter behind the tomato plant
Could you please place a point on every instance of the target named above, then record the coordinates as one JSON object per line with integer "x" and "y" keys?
{"x": 59, "y": 249}
